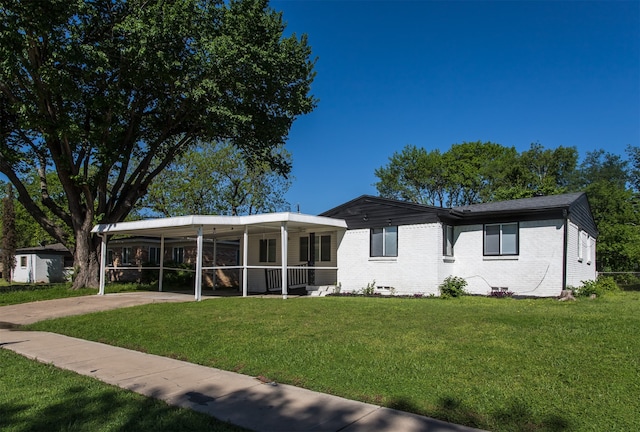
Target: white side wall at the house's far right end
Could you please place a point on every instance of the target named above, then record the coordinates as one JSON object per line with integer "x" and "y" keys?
{"x": 581, "y": 257}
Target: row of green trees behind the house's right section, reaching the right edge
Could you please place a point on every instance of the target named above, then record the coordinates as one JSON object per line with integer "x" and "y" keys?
{"x": 483, "y": 172}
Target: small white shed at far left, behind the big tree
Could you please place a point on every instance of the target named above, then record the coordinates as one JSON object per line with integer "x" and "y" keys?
{"x": 42, "y": 264}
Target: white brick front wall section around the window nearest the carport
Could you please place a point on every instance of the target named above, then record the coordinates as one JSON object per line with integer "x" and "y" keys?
{"x": 414, "y": 270}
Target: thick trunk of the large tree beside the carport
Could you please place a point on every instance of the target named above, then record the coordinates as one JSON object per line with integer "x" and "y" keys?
{"x": 86, "y": 260}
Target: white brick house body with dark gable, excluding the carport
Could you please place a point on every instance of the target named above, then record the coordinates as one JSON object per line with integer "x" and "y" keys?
{"x": 531, "y": 247}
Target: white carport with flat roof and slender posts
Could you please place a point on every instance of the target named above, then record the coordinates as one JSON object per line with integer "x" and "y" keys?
{"x": 221, "y": 227}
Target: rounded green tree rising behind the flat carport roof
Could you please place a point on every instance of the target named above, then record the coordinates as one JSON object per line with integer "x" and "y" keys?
{"x": 215, "y": 179}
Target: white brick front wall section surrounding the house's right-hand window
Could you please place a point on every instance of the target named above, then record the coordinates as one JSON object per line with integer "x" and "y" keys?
{"x": 536, "y": 271}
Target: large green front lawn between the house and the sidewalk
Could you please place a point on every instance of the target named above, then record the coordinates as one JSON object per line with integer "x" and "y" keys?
{"x": 497, "y": 364}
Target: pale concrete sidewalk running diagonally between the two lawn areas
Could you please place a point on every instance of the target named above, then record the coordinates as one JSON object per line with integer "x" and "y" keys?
{"x": 235, "y": 398}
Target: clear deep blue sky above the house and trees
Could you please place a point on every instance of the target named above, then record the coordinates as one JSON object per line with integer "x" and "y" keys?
{"x": 435, "y": 73}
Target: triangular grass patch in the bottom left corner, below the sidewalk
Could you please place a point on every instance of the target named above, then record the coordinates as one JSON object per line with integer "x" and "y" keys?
{"x": 40, "y": 397}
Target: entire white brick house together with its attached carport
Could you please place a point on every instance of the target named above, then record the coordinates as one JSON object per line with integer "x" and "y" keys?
{"x": 532, "y": 247}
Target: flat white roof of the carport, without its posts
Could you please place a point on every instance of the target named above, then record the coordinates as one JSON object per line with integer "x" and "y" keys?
{"x": 220, "y": 226}
